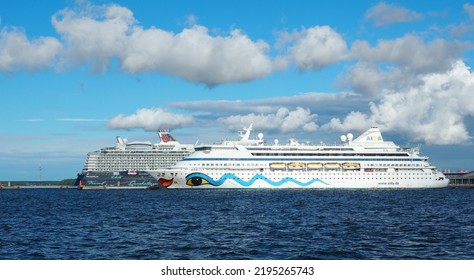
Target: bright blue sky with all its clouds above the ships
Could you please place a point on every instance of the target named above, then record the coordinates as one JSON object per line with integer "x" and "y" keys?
{"x": 76, "y": 74}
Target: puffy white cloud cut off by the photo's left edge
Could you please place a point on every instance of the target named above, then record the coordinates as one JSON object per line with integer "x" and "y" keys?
{"x": 17, "y": 52}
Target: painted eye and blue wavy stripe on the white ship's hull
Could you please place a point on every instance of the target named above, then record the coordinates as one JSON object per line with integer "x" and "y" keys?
{"x": 199, "y": 179}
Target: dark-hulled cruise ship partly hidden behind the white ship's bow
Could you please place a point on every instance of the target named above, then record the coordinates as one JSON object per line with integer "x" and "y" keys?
{"x": 127, "y": 164}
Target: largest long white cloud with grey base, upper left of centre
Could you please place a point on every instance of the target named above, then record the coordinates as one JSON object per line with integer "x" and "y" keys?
{"x": 196, "y": 56}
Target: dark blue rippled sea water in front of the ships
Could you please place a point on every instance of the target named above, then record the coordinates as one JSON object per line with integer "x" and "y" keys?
{"x": 237, "y": 224}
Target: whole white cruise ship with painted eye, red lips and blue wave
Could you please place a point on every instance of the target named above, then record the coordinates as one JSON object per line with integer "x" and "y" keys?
{"x": 367, "y": 161}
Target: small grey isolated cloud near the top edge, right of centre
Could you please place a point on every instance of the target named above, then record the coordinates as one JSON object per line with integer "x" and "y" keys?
{"x": 384, "y": 14}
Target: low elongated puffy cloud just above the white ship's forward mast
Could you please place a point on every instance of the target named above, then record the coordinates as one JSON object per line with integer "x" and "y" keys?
{"x": 283, "y": 120}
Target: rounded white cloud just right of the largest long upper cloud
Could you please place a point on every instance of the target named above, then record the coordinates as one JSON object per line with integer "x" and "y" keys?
{"x": 318, "y": 47}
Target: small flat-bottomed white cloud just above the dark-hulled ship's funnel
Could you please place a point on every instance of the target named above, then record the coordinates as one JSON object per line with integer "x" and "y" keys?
{"x": 150, "y": 119}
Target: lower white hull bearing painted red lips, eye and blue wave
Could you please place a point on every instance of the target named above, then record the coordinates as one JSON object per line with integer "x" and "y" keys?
{"x": 304, "y": 180}
